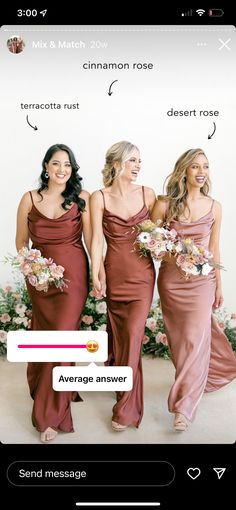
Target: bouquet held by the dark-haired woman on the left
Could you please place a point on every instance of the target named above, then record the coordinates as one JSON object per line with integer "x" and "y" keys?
{"x": 38, "y": 271}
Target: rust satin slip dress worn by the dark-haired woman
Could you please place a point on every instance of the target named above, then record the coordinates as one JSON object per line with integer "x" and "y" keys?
{"x": 59, "y": 239}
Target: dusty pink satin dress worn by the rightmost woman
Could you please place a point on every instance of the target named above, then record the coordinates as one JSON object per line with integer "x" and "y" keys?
{"x": 201, "y": 353}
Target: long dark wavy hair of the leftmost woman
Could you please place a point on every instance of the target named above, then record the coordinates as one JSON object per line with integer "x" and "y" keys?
{"x": 73, "y": 186}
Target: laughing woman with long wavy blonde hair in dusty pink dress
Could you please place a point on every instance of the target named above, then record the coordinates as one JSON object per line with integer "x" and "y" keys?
{"x": 201, "y": 353}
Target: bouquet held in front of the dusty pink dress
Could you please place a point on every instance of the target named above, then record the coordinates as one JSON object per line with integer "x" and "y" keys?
{"x": 157, "y": 241}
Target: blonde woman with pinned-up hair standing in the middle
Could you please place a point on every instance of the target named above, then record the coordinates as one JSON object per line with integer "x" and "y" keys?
{"x": 115, "y": 211}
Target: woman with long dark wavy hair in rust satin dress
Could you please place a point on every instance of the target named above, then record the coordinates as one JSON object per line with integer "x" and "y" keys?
{"x": 54, "y": 218}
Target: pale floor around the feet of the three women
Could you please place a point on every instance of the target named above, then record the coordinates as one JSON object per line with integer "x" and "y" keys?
{"x": 215, "y": 422}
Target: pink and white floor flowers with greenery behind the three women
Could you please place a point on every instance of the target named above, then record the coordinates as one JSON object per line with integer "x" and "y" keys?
{"x": 16, "y": 312}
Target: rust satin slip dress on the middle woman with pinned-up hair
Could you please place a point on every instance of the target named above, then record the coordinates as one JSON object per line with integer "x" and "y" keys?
{"x": 130, "y": 285}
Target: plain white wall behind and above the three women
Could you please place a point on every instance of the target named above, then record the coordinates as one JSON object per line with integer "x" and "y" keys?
{"x": 190, "y": 71}
